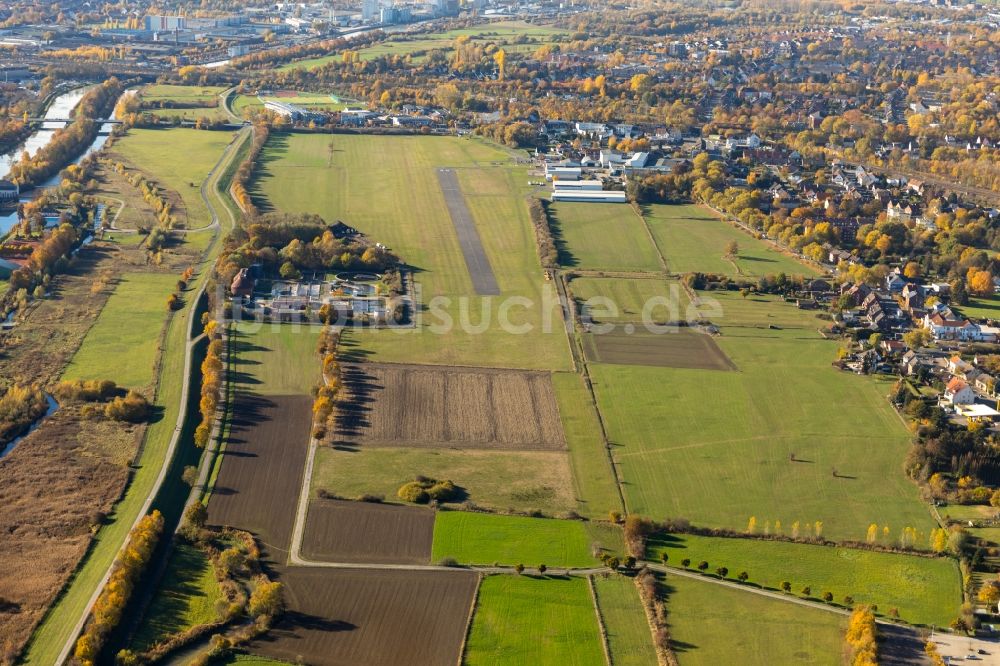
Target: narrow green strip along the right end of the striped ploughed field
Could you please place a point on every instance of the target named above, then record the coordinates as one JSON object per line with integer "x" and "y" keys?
{"x": 594, "y": 479}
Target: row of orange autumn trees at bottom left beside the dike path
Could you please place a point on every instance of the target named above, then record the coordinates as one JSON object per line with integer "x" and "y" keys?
{"x": 111, "y": 603}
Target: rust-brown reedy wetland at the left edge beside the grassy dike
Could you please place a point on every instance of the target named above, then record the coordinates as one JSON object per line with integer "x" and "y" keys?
{"x": 54, "y": 487}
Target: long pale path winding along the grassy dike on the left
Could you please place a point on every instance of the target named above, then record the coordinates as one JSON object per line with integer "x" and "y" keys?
{"x": 211, "y": 183}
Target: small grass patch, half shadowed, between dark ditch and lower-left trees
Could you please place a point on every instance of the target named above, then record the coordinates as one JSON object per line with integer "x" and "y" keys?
{"x": 186, "y": 598}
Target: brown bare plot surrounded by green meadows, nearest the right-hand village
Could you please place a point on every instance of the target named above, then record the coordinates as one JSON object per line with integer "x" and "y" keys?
{"x": 680, "y": 348}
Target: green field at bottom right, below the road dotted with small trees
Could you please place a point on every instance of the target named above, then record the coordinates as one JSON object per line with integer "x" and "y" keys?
{"x": 711, "y": 625}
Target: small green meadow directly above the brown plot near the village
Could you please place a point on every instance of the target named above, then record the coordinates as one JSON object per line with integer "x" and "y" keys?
{"x": 615, "y": 300}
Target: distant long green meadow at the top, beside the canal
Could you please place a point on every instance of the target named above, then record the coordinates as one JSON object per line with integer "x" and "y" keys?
{"x": 505, "y": 33}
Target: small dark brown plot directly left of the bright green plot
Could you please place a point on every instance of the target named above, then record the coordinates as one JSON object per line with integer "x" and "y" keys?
{"x": 342, "y": 531}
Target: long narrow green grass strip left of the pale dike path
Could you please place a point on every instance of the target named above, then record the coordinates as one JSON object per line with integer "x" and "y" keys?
{"x": 50, "y": 636}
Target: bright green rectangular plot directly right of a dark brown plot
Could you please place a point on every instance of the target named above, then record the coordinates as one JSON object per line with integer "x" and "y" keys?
{"x": 484, "y": 538}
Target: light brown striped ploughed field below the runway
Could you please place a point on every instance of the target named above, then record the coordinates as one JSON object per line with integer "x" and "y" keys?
{"x": 435, "y": 406}
